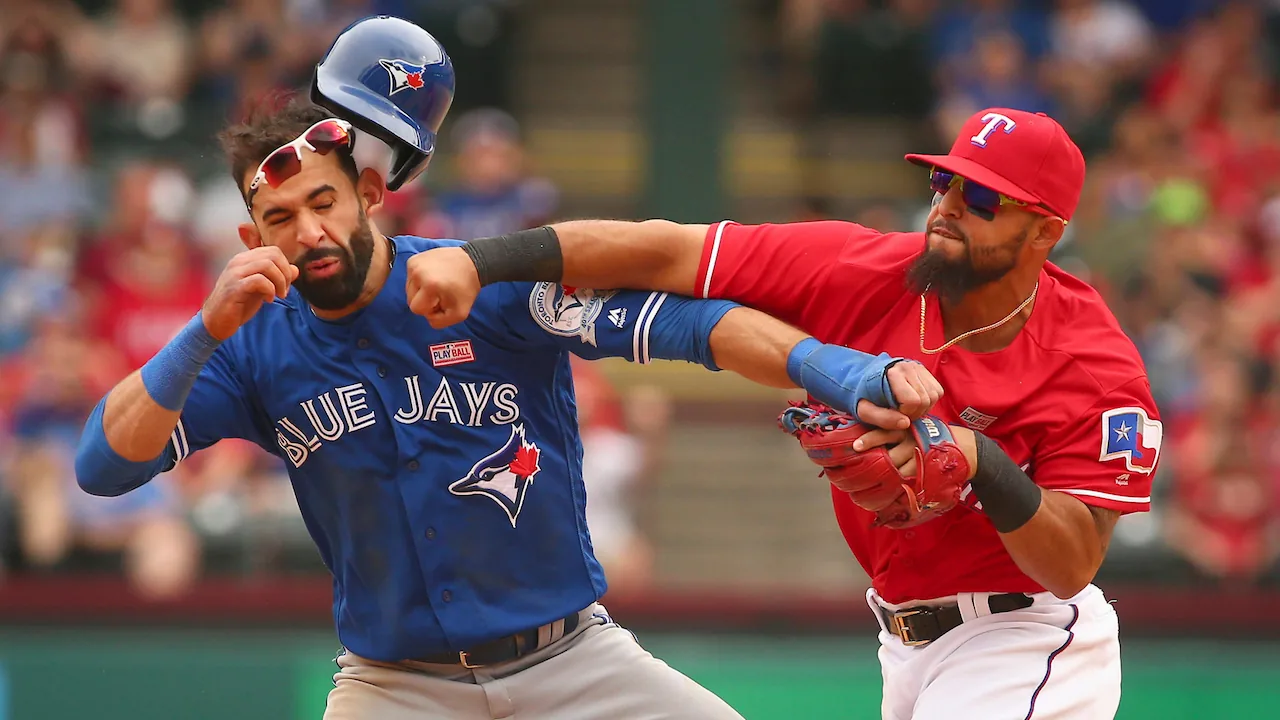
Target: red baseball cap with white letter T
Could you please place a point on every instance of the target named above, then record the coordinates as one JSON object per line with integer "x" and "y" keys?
{"x": 1025, "y": 156}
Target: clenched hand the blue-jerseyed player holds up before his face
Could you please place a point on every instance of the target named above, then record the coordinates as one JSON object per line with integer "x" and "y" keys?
{"x": 250, "y": 280}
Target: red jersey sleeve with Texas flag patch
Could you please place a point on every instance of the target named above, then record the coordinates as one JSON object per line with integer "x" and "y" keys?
{"x": 1107, "y": 457}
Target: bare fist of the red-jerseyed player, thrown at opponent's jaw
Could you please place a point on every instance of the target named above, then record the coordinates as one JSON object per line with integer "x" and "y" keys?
{"x": 442, "y": 286}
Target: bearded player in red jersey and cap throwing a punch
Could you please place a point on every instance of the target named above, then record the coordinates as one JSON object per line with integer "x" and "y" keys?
{"x": 989, "y": 609}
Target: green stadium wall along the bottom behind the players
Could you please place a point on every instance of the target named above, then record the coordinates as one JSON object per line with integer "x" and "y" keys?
{"x": 189, "y": 675}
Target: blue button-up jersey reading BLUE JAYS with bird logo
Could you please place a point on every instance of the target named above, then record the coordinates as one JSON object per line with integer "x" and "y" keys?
{"x": 440, "y": 472}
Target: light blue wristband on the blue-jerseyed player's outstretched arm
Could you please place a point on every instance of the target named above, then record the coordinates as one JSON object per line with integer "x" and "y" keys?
{"x": 840, "y": 377}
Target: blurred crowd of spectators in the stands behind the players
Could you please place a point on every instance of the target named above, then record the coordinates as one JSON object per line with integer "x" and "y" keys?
{"x": 117, "y": 215}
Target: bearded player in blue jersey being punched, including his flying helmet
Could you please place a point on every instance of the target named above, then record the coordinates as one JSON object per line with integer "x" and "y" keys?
{"x": 438, "y": 471}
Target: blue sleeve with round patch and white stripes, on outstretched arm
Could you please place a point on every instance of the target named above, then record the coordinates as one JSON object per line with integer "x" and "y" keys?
{"x": 638, "y": 326}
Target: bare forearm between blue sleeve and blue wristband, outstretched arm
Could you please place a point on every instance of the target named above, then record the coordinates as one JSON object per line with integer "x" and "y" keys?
{"x": 756, "y": 347}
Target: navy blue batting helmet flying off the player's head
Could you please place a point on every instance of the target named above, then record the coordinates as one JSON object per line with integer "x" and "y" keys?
{"x": 392, "y": 80}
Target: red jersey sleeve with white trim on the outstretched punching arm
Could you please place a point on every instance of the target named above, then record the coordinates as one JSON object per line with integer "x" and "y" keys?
{"x": 783, "y": 270}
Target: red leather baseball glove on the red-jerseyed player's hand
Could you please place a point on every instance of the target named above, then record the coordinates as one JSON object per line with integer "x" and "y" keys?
{"x": 870, "y": 477}
